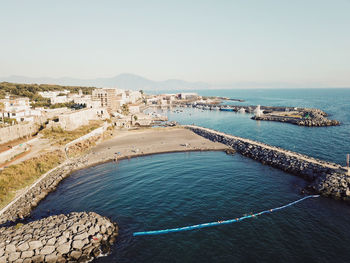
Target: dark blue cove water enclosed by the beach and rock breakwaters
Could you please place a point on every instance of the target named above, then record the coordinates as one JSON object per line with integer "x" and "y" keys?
{"x": 171, "y": 190}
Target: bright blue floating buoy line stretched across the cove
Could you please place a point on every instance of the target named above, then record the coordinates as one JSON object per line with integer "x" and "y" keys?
{"x": 230, "y": 221}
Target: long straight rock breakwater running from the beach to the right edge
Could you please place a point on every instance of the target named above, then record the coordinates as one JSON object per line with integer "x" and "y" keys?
{"x": 327, "y": 179}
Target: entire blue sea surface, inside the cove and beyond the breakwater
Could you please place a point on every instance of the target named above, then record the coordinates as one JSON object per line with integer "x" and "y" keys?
{"x": 179, "y": 189}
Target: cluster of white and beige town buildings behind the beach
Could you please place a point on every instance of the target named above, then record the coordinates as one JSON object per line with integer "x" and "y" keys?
{"x": 101, "y": 104}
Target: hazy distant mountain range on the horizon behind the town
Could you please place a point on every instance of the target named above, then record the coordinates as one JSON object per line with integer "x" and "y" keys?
{"x": 122, "y": 81}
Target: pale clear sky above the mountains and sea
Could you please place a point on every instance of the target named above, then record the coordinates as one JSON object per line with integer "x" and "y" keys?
{"x": 299, "y": 41}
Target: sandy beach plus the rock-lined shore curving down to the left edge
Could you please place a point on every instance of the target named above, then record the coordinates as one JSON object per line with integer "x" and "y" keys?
{"x": 152, "y": 141}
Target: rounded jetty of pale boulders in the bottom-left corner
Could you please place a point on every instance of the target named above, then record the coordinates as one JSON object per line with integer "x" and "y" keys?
{"x": 76, "y": 237}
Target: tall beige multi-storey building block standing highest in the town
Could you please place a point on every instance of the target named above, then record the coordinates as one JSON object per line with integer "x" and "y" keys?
{"x": 107, "y": 98}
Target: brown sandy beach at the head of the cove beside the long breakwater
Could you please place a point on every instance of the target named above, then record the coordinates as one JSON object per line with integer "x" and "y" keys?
{"x": 127, "y": 144}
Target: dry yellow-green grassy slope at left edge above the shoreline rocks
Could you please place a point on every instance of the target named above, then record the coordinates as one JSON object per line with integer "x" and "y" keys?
{"x": 21, "y": 175}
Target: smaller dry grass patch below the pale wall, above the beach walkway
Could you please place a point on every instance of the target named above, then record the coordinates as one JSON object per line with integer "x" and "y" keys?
{"x": 61, "y": 137}
